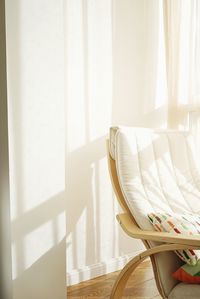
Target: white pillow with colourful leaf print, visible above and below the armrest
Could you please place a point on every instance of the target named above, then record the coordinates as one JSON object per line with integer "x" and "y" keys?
{"x": 187, "y": 224}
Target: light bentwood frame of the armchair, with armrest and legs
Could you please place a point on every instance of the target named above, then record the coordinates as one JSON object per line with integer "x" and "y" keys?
{"x": 167, "y": 241}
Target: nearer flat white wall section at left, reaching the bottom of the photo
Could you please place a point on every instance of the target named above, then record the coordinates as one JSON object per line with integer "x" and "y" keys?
{"x": 35, "y": 46}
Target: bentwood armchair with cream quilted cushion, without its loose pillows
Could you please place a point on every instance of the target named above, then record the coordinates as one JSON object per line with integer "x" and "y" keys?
{"x": 123, "y": 149}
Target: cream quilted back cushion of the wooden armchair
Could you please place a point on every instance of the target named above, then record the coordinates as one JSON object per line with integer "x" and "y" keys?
{"x": 157, "y": 172}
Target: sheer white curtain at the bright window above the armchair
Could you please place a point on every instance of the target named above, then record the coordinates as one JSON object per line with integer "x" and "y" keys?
{"x": 182, "y": 41}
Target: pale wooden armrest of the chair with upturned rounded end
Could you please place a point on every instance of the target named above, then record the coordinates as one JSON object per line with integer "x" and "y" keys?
{"x": 135, "y": 232}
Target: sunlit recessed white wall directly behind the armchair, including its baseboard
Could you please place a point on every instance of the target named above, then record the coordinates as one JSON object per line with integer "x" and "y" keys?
{"x": 114, "y": 70}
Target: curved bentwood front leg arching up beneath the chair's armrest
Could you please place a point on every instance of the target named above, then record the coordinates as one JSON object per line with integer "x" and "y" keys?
{"x": 126, "y": 272}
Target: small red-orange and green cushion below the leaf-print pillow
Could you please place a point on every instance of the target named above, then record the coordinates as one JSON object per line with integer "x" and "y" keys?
{"x": 189, "y": 274}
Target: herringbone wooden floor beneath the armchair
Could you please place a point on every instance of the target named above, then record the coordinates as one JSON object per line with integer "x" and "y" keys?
{"x": 140, "y": 286}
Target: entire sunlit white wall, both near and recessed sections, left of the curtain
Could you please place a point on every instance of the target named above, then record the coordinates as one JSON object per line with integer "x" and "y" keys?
{"x": 111, "y": 73}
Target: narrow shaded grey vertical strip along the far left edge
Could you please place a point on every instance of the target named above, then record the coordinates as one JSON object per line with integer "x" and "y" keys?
{"x": 5, "y": 227}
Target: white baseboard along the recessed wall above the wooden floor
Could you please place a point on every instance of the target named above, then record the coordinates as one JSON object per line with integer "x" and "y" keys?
{"x": 95, "y": 270}
